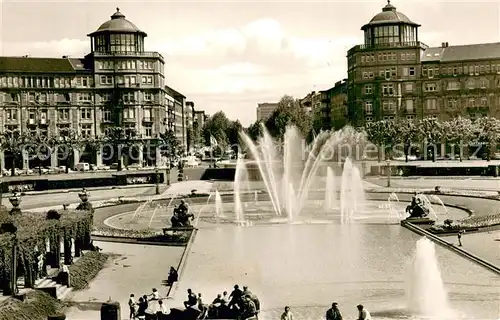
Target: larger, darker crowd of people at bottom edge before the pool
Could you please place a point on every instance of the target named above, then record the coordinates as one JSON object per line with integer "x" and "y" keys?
{"x": 241, "y": 304}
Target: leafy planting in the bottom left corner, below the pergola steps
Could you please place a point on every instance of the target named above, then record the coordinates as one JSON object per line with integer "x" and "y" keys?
{"x": 36, "y": 306}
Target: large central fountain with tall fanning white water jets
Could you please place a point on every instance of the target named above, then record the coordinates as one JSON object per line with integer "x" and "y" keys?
{"x": 289, "y": 178}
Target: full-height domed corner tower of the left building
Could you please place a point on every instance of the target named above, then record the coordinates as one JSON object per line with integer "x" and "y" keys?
{"x": 129, "y": 85}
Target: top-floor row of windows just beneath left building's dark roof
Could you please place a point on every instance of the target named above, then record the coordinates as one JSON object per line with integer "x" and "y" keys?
{"x": 46, "y": 82}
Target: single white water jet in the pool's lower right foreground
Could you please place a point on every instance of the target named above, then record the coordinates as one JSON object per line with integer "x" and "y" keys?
{"x": 426, "y": 294}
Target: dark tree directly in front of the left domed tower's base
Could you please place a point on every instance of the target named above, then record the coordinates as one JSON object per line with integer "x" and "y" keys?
{"x": 118, "y": 139}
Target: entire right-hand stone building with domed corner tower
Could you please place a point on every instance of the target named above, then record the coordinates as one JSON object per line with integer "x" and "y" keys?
{"x": 395, "y": 75}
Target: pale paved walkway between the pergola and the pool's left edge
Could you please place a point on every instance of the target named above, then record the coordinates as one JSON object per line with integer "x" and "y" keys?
{"x": 136, "y": 269}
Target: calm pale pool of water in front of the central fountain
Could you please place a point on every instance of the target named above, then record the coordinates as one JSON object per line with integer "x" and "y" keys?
{"x": 309, "y": 266}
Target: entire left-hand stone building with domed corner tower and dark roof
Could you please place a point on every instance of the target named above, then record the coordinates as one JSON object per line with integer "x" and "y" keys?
{"x": 117, "y": 84}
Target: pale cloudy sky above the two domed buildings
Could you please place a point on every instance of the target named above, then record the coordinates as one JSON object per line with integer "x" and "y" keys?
{"x": 232, "y": 55}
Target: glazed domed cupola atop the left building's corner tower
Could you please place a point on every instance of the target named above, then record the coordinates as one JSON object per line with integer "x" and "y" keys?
{"x": 117, "y": 35}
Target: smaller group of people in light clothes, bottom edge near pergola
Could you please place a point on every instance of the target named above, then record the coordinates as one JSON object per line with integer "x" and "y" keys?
{"x": 148, "y": 307}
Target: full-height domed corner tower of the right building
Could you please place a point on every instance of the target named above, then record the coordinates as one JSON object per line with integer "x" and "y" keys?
{"x": 383, "y": 72}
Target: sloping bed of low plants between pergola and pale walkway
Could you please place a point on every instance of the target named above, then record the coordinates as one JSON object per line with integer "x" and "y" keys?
{"x": 86, "y": 269}
